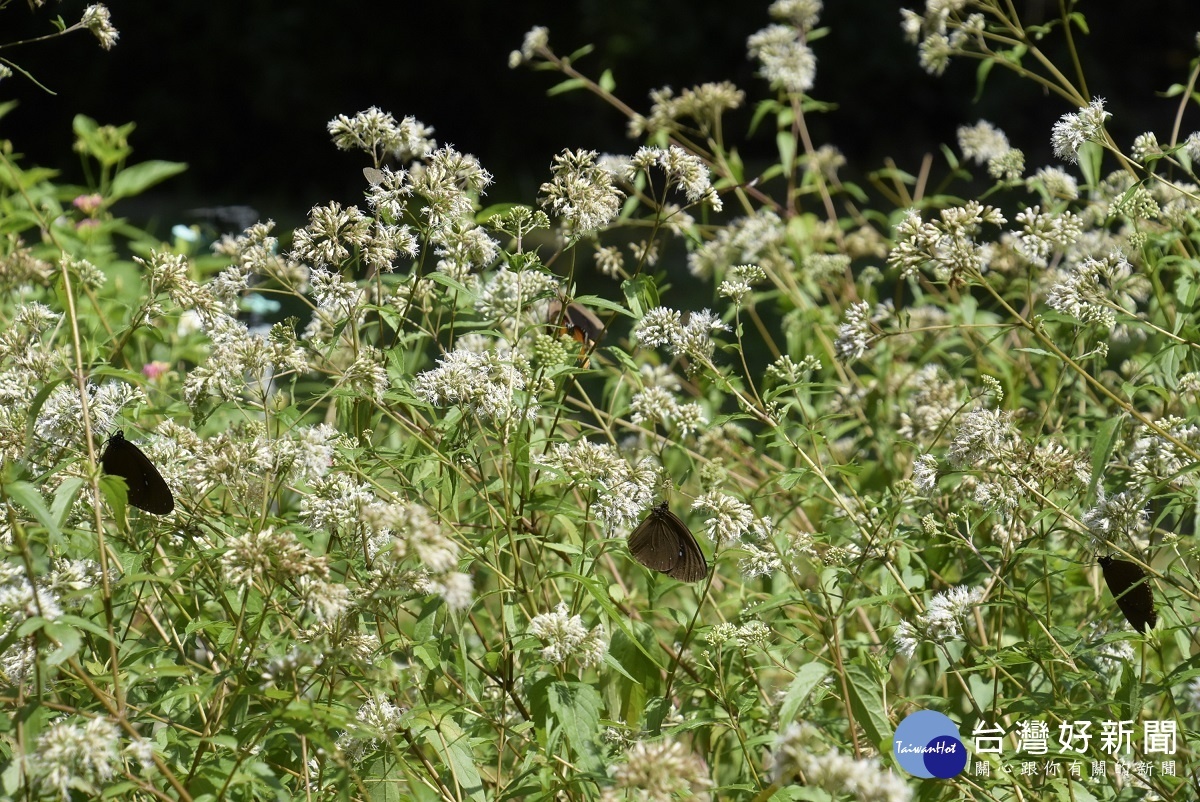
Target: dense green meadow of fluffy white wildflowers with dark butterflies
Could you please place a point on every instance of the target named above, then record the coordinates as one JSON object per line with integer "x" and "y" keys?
{"x": 928, "y": 439}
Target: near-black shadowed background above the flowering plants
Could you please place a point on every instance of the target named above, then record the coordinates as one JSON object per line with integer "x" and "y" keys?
{"x": 242, "y": 92}
